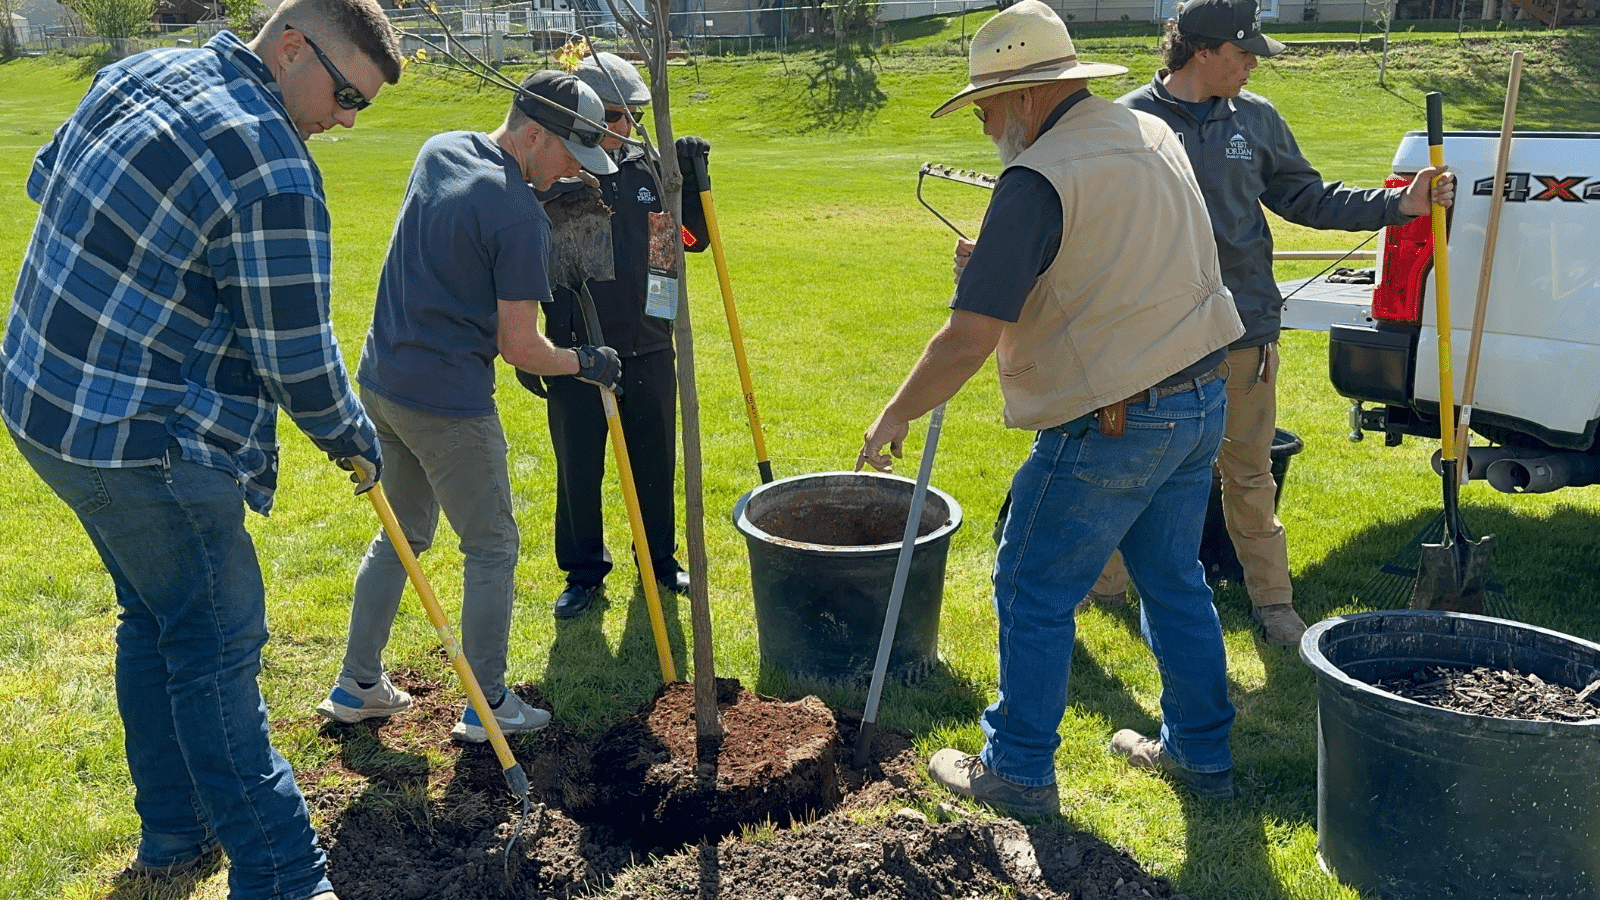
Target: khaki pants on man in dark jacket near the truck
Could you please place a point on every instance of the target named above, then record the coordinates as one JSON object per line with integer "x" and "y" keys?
{"x": 1249, "y": 489}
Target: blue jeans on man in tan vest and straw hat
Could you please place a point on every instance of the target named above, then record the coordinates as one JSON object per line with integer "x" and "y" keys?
{"x": 1073, "y": 504}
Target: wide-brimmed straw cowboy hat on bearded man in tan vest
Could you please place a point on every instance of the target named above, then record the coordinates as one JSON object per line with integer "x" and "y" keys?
{"x": 1025, "y": 46}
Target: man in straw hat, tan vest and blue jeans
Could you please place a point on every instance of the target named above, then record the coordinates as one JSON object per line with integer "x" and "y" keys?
{"x": 1116, "y": 364}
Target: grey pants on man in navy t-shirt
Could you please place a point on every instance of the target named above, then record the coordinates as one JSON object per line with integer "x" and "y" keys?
{"x": 460, "y": 465}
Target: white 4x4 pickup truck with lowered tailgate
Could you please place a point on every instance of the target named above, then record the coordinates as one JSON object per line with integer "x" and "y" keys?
{"x": 1538, "y": 385}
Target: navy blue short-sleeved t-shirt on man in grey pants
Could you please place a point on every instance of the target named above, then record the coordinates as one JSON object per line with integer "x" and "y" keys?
{"x": 470, "y": 235}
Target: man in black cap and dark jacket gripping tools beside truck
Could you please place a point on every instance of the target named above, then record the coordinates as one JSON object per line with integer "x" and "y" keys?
{"x": 1247, "y": 163}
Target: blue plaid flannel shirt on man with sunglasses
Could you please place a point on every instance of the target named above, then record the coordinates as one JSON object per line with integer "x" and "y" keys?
{"x": 177, "y": 284}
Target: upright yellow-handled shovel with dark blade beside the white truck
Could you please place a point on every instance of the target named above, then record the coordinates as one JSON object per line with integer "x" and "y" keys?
{"x": 1450, "y": 576}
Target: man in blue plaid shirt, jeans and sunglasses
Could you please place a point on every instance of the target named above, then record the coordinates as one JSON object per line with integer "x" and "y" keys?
{"x": 175, "y": 297}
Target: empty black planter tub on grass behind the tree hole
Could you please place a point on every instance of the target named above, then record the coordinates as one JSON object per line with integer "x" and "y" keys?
{"x": 823, "y": 555}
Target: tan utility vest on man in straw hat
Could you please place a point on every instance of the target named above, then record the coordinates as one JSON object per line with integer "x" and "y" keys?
{"x": 1135, "y": 294}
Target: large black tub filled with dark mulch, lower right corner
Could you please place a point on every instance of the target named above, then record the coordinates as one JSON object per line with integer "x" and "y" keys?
{"x": 1422, "y": 803}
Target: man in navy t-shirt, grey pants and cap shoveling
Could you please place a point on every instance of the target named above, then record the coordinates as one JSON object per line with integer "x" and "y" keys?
{"x": 462, "y": 284}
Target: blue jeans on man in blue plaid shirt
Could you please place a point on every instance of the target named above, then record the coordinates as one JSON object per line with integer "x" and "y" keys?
{"x": 190, "y": 638}
